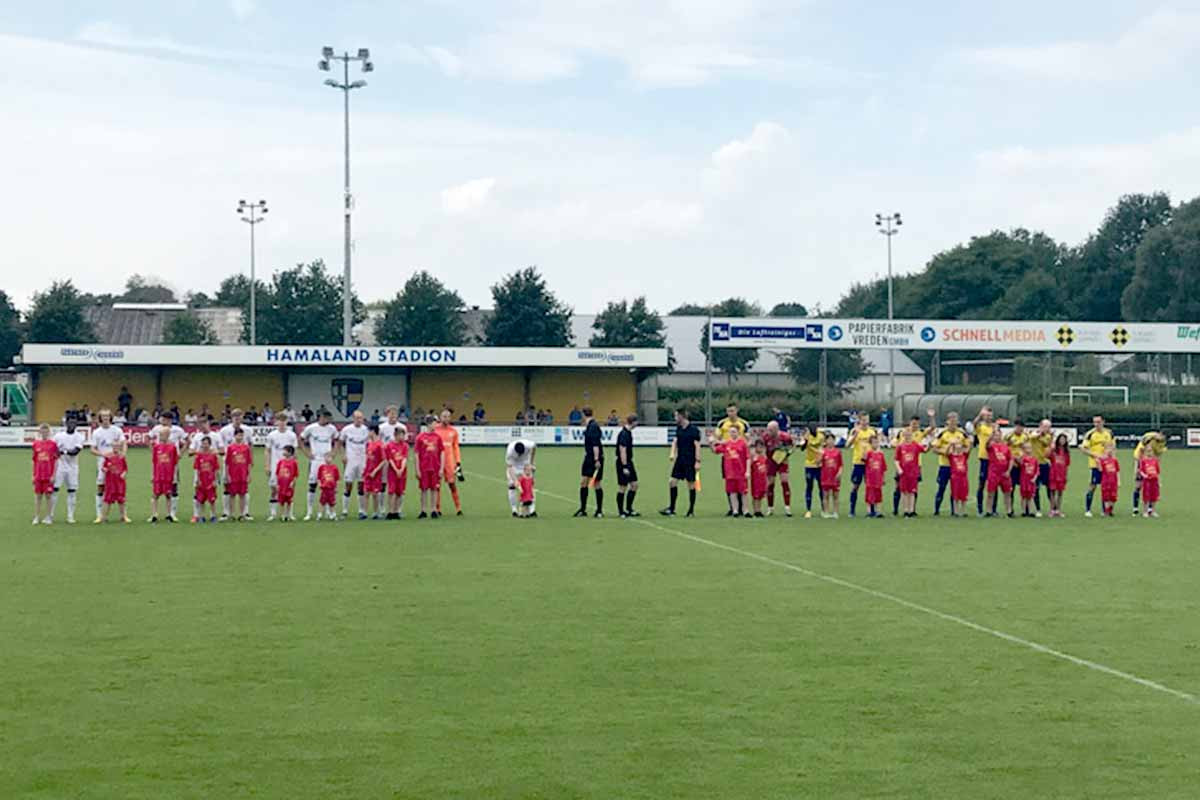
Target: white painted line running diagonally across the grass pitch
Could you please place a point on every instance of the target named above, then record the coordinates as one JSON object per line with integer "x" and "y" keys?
{"x": 908, "y": 604}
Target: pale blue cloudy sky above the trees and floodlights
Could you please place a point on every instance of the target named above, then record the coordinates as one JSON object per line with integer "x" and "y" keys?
{"x": 686, "y": 151}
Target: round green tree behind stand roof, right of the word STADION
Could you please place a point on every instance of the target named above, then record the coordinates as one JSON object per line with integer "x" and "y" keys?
{"x": 527, "y": 314}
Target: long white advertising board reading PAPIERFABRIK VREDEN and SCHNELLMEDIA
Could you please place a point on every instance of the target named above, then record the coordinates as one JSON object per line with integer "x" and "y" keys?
{"x": 955, "y": 335}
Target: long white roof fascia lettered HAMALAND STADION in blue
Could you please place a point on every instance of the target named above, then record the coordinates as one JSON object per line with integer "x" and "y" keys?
{"x": 307, "y": 356}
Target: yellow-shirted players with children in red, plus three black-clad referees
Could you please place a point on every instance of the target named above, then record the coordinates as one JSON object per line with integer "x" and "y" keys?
{"x": 1023, "y": 464}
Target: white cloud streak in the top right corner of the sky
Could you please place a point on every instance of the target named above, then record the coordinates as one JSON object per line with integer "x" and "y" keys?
{"x": 1155, "y": 45}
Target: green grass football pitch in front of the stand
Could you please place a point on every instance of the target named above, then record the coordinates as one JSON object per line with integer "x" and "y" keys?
{"x": 556, "y": 658}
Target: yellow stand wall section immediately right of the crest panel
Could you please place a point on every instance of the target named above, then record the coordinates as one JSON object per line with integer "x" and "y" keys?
{"x": 501, "y": 392}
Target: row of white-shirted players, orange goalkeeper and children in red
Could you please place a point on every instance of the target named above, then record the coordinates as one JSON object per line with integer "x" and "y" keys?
{"x": 371, "y": 459}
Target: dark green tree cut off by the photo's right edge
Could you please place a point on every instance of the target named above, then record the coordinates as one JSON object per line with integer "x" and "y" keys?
{"x": 1168, "y": 261}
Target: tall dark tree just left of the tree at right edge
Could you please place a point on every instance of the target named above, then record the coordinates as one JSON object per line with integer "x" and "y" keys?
{"x": 1105, "y": 266}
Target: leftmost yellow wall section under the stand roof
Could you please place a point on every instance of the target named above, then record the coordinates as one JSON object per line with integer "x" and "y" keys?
{"x": 61, "y": 388}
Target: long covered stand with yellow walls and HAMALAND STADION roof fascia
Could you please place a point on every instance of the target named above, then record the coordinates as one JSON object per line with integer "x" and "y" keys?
{"x": 344, "y": 380}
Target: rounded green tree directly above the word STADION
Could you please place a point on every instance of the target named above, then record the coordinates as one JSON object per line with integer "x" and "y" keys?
{"x": 423, "y": 314}
